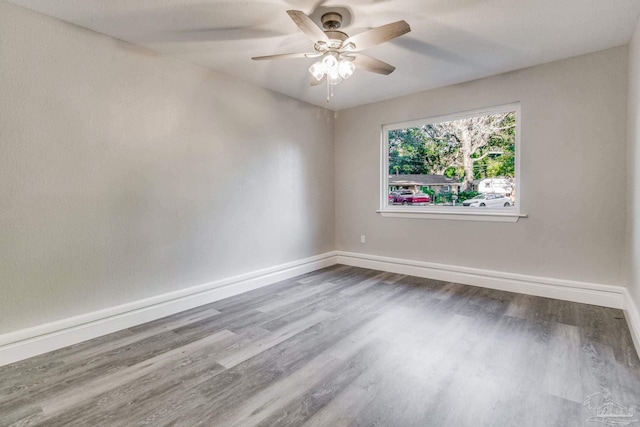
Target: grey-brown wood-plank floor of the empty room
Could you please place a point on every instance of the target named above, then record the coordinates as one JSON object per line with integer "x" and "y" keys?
{"x": 343, "y": 346}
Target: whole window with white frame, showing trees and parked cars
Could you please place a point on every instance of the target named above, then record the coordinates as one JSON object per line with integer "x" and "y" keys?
{"x": 463, "y": 165}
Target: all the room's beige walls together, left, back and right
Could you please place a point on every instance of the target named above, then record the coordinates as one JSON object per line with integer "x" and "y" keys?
{"x": 125, "y": 175}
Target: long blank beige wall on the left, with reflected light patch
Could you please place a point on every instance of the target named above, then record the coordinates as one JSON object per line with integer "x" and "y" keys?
{"x": 125, "y": 175}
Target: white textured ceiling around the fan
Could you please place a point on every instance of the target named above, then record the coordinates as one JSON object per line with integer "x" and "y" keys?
{"x": 451, "y": 41}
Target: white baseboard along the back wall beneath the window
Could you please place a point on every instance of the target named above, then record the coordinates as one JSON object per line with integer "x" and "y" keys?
{"x": 568, "y": 290}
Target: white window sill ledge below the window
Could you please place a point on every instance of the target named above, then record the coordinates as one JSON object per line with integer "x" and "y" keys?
{"x": 454, "y": 215}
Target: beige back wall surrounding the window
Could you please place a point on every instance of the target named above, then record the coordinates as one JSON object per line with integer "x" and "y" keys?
{"x": 573, "y": 184}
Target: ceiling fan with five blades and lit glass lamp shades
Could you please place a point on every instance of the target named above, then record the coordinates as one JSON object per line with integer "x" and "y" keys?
{"x": 340, "y": 52}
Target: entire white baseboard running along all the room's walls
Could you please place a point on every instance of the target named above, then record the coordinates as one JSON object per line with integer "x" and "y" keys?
{"x": 30, "y": 342}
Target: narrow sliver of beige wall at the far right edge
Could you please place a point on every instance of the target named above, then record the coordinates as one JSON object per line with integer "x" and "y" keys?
{"x": 633, "y": 214}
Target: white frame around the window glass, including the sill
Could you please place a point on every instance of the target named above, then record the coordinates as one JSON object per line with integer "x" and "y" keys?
{"x": 511, "y": 214}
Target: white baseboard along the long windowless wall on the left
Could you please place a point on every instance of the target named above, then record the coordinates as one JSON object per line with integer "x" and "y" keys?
{"x": 40, "y": 339}
